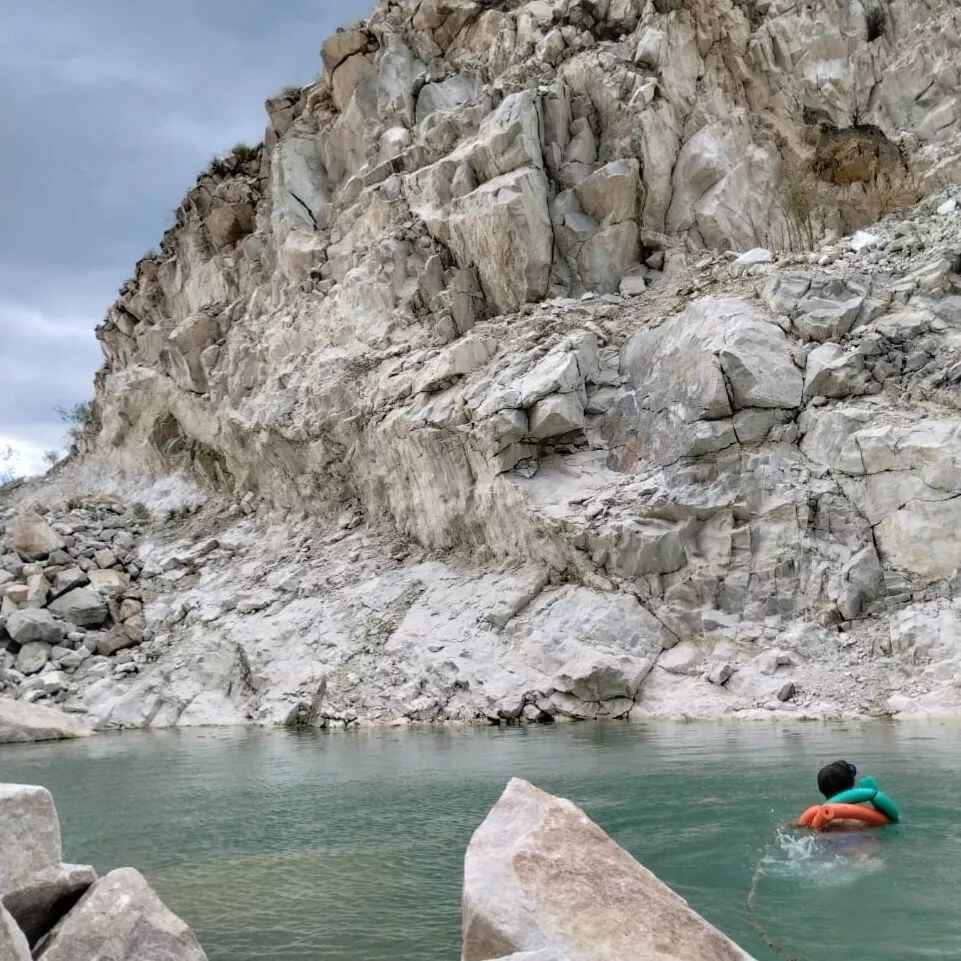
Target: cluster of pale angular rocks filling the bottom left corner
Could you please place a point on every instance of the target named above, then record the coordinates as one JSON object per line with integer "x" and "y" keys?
{"x": 62, "y": 911}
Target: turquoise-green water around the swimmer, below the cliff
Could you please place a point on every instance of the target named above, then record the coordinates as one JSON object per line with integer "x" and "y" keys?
{"x": 349, "y": 846}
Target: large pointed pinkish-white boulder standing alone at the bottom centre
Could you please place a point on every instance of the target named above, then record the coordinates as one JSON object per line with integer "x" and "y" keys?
{"x": 541, "y": 876}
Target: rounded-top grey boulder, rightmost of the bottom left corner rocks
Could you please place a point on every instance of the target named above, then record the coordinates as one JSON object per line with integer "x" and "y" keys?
{"x": 121, "y": 919}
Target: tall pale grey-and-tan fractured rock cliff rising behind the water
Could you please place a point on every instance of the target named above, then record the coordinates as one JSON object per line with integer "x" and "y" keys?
{"x": 509, "y": 427}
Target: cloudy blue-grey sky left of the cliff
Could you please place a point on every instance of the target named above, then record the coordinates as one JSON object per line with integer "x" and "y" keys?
{"x": 109, "y": 110}
